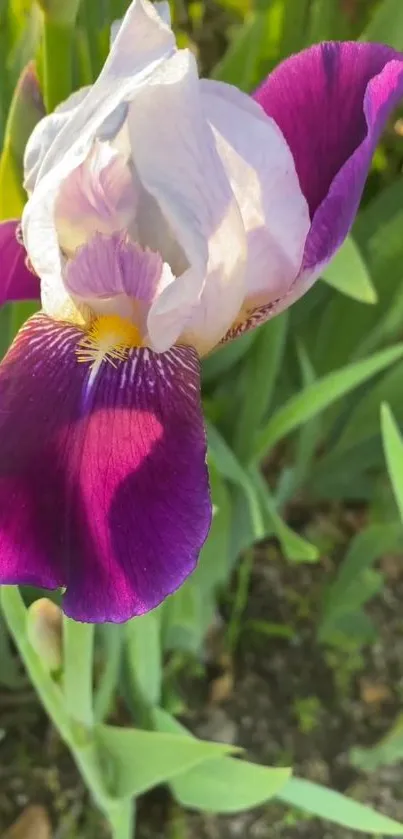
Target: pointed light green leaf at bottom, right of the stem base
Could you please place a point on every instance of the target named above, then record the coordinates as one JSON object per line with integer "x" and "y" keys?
{"x": 139, "y": 760}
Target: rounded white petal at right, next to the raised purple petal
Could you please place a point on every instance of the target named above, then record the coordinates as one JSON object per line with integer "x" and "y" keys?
{"x": 261, "y": 169}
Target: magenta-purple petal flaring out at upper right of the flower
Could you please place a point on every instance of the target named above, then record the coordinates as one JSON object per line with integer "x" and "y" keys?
{"x": 331, "y": 103}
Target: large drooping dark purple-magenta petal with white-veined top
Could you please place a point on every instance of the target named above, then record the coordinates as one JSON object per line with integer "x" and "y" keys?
{"x": 103, "y": 479}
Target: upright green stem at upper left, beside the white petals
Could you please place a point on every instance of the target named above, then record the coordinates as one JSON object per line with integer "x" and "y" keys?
{"x": 58, "y": 62}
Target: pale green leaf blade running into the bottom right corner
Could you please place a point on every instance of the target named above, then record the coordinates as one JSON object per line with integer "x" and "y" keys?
{"x": 337, "y": 808}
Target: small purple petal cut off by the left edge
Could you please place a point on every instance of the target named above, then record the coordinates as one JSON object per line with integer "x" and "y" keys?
{"x": 17, "y": 282}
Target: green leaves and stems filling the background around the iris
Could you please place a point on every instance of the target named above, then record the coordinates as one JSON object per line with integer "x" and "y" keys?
{"x": 294, "y": 430}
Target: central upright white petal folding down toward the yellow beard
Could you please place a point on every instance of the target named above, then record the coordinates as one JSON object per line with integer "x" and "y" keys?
{"x": 178, "y": 165}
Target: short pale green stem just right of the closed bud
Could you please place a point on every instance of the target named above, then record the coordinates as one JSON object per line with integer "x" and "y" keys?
{"x": 78, "y": 644}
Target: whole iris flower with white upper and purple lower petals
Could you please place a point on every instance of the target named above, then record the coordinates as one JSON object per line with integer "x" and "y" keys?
{"x": 166, "y": 215}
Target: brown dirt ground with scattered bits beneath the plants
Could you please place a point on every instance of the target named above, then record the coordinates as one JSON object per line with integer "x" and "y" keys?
{"x": 284, "y": 699}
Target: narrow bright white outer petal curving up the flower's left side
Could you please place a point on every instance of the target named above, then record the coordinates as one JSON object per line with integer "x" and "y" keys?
{"x": 142, "y": 43}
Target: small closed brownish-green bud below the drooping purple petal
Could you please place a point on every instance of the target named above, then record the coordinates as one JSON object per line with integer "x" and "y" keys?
{"x": 44, "y": 630}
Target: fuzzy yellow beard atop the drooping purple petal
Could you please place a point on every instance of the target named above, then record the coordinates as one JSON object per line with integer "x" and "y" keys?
{"x": 108, "y": 338}
